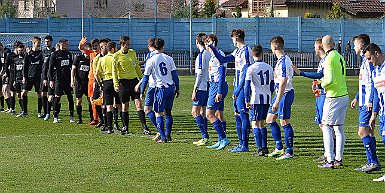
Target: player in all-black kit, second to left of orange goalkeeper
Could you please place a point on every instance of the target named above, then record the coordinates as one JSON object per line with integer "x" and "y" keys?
{"x": 59, "y": 74}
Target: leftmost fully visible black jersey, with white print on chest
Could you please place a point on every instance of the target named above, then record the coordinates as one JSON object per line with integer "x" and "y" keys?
{"x": 16, "y": 65}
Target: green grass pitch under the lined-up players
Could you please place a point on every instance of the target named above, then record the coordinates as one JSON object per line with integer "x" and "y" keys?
{"x": 38, "y": 156}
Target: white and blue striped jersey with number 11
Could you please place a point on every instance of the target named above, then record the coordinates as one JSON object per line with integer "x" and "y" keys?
{"x": 261, "y": 76}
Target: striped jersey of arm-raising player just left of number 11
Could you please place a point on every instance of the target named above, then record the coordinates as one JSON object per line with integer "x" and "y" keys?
{"x": 242, "y": 56}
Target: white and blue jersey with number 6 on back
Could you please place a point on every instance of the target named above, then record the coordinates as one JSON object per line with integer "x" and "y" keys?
{"x": 160, "y": 66}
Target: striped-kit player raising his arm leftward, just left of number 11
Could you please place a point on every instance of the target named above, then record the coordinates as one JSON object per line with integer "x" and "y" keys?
{"x": 243, "y": 58}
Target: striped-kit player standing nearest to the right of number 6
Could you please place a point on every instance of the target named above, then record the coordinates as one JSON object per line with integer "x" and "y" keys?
{"x": 199, "y": 94}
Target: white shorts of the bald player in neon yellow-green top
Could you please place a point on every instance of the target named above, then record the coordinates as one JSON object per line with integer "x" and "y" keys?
{"x": 334, "y": 110}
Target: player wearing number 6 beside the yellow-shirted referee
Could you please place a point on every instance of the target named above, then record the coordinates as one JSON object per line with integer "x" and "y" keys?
{"x": 162, "y": 68}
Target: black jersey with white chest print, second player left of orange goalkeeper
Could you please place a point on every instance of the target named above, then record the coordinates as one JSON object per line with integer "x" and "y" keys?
{"x": 59, "y": 66}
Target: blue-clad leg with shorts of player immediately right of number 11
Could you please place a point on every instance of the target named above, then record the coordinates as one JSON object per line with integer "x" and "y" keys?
{"x": 284, "y": 113}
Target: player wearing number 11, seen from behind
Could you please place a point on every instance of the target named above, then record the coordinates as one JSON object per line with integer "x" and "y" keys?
{"x": 260, "y": 84}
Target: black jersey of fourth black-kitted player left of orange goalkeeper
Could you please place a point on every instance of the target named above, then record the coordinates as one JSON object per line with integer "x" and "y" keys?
{"x": 34, "y": 64}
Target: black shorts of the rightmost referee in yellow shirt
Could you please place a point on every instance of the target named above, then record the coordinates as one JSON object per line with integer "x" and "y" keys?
{"x": 127, "y": 90}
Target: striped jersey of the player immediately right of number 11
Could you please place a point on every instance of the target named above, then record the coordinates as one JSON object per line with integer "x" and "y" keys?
{"x": 283, "y": 69}
